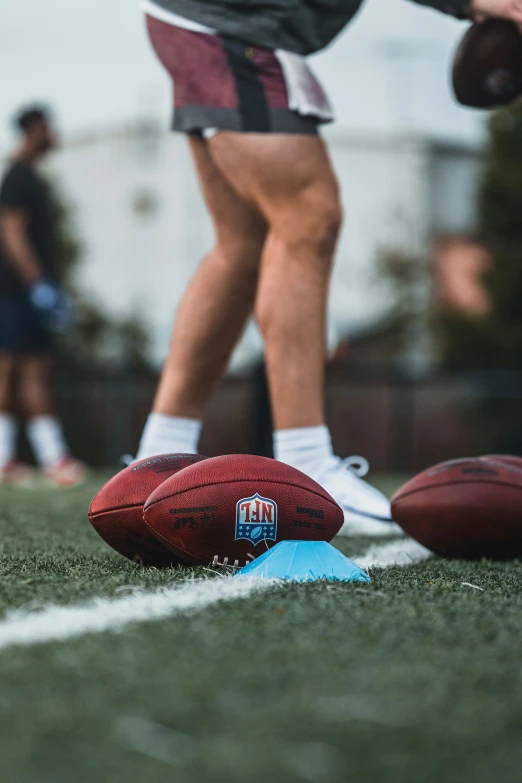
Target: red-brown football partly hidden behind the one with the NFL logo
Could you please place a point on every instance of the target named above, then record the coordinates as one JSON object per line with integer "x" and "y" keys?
{"x": 116, "y": 511}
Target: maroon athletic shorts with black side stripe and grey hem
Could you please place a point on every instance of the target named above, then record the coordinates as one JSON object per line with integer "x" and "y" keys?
{"x": 222, "y": 84}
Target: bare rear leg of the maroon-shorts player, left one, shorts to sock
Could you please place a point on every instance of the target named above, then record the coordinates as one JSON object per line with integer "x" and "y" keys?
{"x": 218, "y": 300}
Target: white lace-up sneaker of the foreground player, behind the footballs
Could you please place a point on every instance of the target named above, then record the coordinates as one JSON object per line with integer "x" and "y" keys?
{"x": 367, "y": 511}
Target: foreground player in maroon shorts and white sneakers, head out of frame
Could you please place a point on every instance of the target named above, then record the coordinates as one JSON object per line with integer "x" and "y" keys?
{"x": 252, "y": 108}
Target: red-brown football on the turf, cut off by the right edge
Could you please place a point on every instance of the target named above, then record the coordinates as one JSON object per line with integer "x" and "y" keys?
{"x": 467, "y": 508}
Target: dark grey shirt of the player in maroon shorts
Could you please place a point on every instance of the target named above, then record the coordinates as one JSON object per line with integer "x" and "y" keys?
{"x": 301, "y": 26}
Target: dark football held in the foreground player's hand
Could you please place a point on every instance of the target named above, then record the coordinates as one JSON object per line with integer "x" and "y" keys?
{"x": 487, "y": 70}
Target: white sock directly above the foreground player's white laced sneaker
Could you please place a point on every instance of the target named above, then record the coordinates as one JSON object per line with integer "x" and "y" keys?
{"x": 306, "y": 448}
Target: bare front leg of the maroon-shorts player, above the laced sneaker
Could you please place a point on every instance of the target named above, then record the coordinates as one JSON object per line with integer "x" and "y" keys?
{"x": 291, "y": 181}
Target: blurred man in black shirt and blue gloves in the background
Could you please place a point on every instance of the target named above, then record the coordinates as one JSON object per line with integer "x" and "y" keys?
{"x": 32, "y": 307}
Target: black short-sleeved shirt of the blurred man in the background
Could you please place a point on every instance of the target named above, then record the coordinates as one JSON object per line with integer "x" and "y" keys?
{"x": 22, "y": 188}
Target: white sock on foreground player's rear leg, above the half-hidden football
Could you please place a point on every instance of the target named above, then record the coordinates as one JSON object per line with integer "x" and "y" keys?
{"x": 169, "y": 435}
